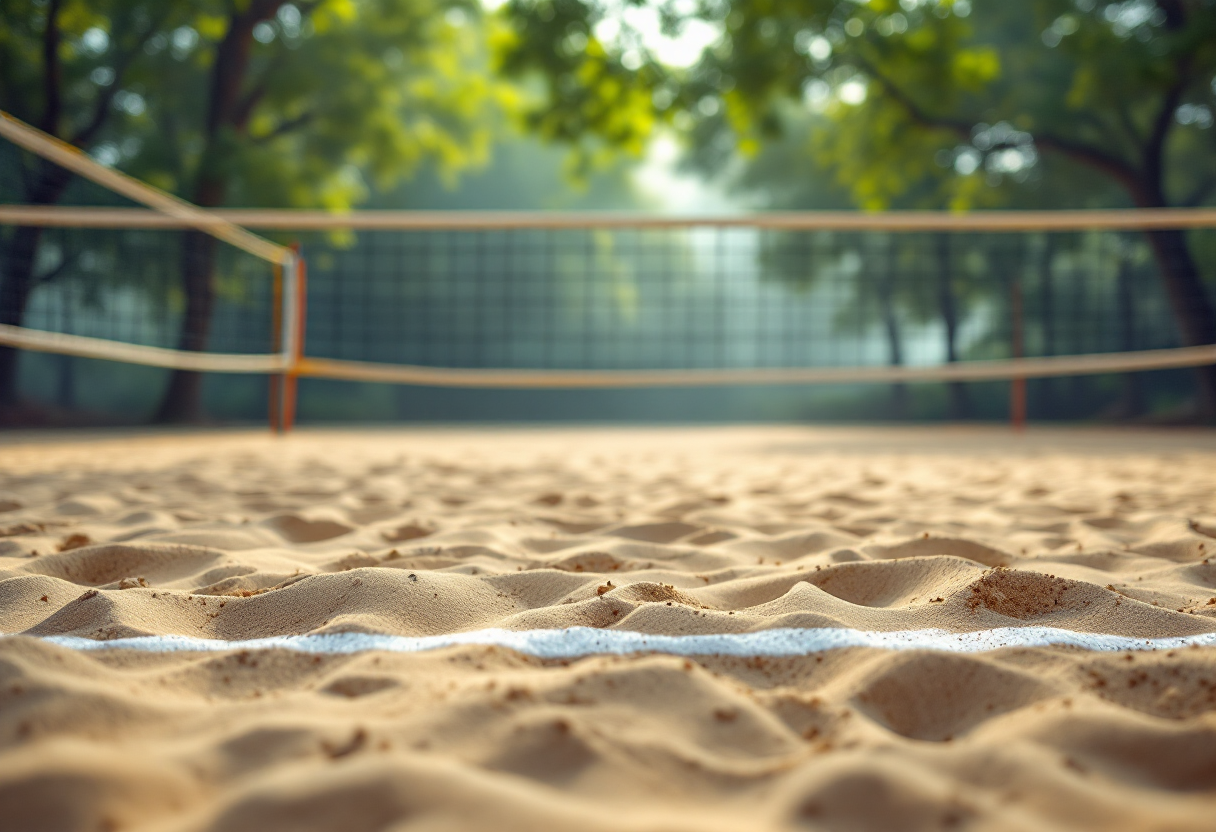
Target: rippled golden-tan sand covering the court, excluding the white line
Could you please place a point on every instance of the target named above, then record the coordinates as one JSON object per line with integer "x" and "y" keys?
{"x": 662, "y": 532}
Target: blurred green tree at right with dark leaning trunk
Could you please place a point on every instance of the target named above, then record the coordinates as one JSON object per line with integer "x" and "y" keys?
{"x": 915, "y": 89}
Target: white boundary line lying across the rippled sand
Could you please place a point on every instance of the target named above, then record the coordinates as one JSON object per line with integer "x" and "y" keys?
{"x": 579, "y": 642}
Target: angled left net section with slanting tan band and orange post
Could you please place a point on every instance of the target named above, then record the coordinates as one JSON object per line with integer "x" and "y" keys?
{"x": 183, "y": 290}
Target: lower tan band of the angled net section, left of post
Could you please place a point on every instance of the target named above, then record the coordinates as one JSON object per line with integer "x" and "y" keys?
{"x": 153, "y": 357}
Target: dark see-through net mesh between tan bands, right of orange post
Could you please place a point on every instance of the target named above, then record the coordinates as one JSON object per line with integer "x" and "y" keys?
{"x": 731, "y": 299}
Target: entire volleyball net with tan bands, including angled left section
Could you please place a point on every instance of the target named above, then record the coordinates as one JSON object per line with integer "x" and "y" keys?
{"x": 590, "y": 301}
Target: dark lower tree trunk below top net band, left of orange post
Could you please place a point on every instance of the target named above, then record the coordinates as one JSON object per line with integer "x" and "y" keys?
{"x": 184, "y": 398}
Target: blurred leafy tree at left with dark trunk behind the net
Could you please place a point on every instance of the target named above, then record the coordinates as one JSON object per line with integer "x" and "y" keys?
{"x": 246, "y": 103}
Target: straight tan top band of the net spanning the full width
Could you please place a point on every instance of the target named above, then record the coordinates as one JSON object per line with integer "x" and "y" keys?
{"x": 492, "y": 221}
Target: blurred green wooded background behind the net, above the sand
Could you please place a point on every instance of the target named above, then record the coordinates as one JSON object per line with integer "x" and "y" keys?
{"x": 677, "y": 109}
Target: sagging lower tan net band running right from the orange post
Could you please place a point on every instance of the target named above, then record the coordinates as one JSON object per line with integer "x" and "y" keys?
{"x": 982, "y": 370}
